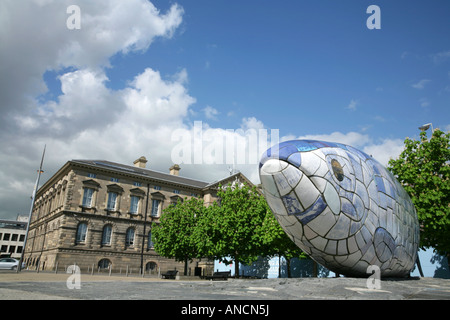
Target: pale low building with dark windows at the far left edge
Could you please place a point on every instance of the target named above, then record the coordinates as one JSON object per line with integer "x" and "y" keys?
{"x": 12, "y": 236}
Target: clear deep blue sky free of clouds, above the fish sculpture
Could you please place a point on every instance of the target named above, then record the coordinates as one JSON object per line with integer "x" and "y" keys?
{"x": 283, "y": 62}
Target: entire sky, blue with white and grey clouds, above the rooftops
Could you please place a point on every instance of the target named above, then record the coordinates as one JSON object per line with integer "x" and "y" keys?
{"x": 137, "y": 78}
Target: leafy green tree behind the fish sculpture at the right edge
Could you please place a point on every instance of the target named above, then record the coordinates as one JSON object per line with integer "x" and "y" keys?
{"x": 423, "y": 168}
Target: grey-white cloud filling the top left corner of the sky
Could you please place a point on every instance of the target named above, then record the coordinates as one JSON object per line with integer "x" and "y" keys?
{"x": 35, "y": 38}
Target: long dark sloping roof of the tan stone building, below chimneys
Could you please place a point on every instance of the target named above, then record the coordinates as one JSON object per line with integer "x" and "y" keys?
{"x": 141, "y": 172}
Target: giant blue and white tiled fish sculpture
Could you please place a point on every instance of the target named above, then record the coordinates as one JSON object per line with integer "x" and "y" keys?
{"x": 341, "y": 207}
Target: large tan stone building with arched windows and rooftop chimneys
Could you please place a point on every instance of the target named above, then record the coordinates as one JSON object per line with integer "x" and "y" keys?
{"x": 97, "y": 214}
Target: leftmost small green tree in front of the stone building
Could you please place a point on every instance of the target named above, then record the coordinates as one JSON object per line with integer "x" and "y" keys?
{"x": 174, "y": 234}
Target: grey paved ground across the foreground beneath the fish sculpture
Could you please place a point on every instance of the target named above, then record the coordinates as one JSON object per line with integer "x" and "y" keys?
{"x": 44, "y": 286}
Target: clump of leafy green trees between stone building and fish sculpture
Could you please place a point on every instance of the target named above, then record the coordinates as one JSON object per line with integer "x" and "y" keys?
{"x": 238, "y": 228}
